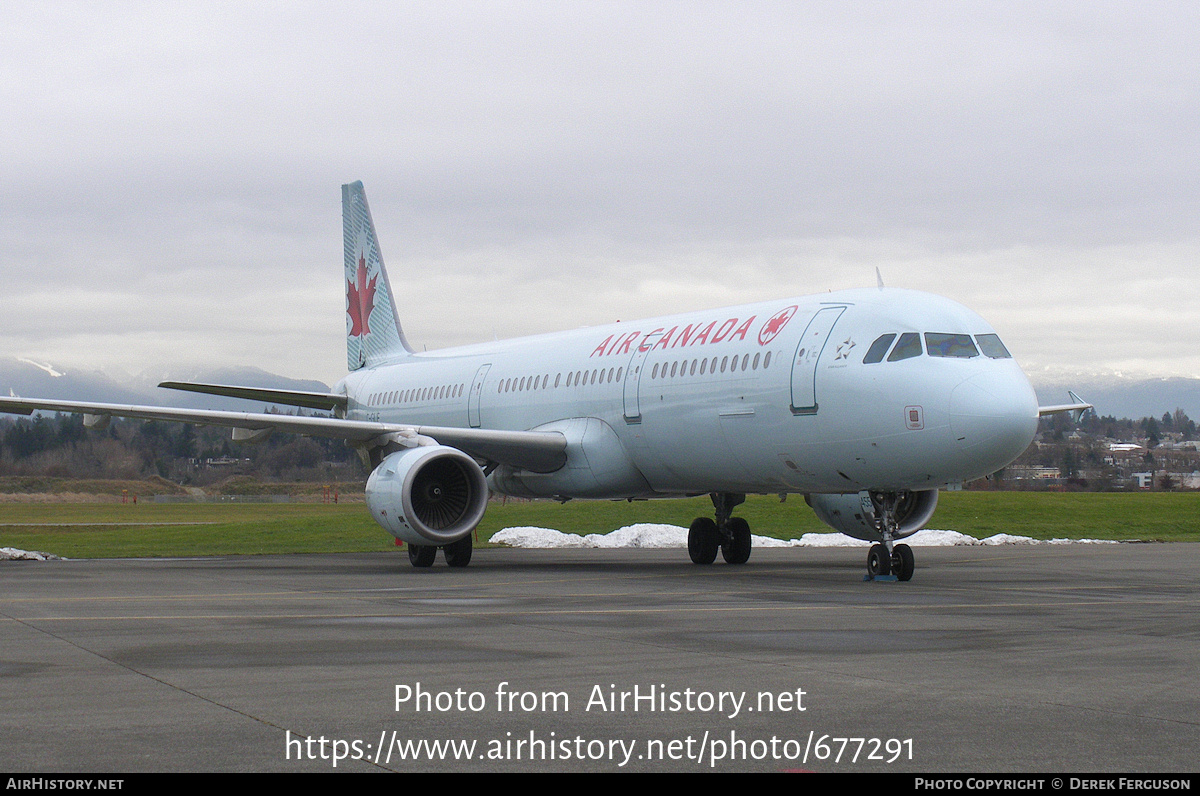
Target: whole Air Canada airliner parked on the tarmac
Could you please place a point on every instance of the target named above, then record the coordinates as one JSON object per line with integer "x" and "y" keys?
{"x": 865, "y": 402}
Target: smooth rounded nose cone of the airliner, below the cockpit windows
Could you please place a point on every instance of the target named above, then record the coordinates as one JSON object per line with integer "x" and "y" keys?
{"x": 994, "y": 417}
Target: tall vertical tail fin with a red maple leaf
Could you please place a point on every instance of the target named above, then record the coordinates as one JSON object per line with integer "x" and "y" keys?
{"x": 374, "y": 334}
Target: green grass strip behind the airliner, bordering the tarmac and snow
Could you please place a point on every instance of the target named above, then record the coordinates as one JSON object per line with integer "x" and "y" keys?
{"x": 106, "y": 531}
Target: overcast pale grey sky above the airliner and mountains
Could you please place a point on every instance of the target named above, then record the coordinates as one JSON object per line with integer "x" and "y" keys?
{"x": 171, "y": 172}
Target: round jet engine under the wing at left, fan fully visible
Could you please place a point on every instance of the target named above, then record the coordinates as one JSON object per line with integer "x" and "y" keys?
{"x": 429, "y": 495}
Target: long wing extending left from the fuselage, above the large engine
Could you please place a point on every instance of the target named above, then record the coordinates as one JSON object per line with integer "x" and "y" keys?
{"x": 542, "y": 452}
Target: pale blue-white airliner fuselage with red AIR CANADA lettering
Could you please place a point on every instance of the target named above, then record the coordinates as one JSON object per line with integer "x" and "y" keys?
{"x": 763, "y": 398}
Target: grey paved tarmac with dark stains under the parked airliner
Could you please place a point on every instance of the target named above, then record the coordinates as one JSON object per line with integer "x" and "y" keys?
{"x": 1081, "y": 659}
